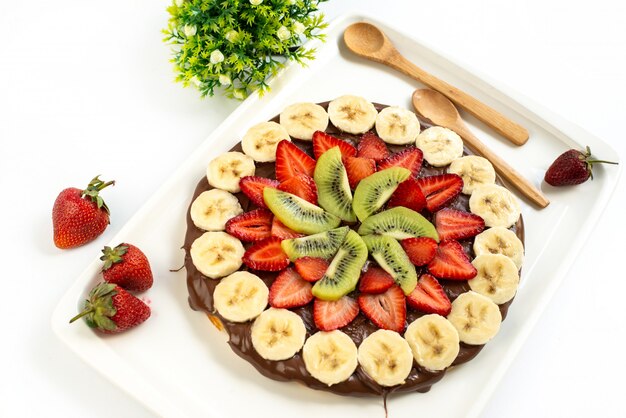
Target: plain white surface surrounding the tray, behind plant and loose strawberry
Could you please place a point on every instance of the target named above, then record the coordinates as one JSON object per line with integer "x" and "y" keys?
{"x": 86, "y": 88}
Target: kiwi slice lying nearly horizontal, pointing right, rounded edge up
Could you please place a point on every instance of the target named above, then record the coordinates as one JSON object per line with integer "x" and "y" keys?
{"x": 399, "y": 223}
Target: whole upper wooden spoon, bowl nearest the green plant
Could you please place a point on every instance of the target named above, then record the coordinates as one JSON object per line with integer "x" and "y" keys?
{"x": 368, "y": 41}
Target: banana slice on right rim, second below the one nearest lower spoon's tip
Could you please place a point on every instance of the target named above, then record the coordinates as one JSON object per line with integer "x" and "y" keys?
{"x": 497, "y": 277}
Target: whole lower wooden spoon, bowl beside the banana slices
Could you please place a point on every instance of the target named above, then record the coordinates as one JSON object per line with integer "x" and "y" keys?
{"x": 435, "y": 107}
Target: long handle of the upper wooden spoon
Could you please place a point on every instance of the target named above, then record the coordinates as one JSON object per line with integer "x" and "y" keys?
{"x": 512, "y": 131}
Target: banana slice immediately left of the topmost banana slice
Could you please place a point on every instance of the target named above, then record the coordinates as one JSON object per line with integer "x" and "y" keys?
{"x": 302, "y": 119}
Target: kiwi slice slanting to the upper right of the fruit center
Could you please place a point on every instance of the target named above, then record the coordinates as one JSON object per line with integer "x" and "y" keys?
{"x": 373, "y": 191}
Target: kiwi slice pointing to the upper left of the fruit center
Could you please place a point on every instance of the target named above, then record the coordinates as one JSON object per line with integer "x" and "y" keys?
{"x": 297, "y": 213}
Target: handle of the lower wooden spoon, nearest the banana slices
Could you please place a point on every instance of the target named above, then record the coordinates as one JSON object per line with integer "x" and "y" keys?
{"x": 502, "y": 167}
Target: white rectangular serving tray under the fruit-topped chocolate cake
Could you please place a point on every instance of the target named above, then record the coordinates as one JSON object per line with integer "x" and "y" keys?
{"x": 178, "y": 365}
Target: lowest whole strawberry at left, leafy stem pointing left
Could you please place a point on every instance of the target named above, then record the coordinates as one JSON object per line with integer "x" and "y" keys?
{"x": 111, "y": 309}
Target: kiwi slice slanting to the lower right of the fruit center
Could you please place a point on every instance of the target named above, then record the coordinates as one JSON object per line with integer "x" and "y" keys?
{"x": 391, "y": 257}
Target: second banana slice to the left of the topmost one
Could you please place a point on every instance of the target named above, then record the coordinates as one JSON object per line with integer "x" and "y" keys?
{"x": 261, "y": 140}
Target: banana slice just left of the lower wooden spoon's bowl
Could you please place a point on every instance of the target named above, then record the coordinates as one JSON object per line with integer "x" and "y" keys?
{"x": 397, "y": 125}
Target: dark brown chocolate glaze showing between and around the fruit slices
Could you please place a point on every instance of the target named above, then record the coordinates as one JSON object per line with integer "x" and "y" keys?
{"x": 359, "y": 384}
